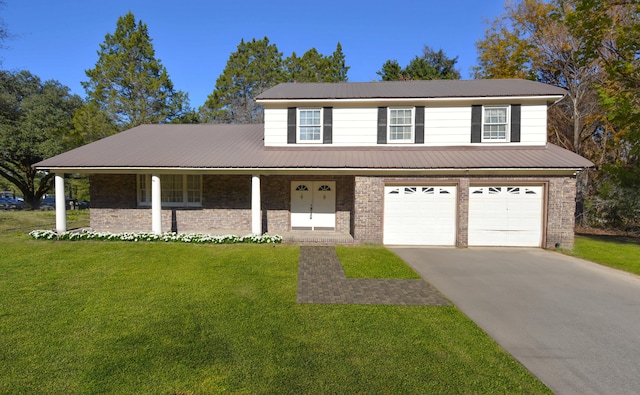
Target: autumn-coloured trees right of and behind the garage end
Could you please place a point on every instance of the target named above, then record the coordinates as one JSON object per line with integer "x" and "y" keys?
{"x": 591, "y": 48}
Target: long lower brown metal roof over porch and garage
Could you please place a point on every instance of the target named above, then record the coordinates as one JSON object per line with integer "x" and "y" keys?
{"x": 241, "y": 147}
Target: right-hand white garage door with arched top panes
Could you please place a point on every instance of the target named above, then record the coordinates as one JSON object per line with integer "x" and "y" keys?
{"x": 505, "y": 216}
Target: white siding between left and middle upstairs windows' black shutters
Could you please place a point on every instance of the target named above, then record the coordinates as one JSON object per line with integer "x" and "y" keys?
{"x": 355, "y": 126}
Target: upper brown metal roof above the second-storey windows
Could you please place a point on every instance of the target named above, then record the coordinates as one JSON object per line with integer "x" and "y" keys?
{"x": 411, "y": 90}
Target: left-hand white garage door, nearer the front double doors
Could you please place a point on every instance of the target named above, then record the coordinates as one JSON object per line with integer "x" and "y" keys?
{"x": 420, "y": 215}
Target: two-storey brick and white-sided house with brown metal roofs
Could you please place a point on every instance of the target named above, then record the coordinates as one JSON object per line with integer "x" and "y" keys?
{"x": 457, "y": 163}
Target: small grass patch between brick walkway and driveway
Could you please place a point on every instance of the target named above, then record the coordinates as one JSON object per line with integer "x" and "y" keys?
{"x": 373, "y": 261}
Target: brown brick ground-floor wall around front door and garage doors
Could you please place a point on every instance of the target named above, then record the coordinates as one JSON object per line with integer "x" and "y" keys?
{"x": 226, "y": 205}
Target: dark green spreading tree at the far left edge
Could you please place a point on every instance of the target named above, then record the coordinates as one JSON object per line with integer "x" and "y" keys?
{"x": 35, "y": 118}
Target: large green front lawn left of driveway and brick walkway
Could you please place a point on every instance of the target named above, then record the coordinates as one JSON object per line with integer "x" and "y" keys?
{"x": 87, "y": 317}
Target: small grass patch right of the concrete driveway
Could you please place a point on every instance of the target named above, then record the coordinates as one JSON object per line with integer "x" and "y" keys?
{"x": 618, "y": 252}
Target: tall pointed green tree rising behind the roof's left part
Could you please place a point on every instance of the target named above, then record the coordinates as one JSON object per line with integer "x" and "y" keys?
{"x": 128, "y": 83}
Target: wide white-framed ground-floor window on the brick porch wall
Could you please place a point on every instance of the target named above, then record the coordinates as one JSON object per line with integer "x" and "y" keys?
{"x": 144, "y": 190}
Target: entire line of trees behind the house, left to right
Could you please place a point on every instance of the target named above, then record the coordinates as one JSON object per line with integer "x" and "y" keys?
{"x": 589, "y": 47}
